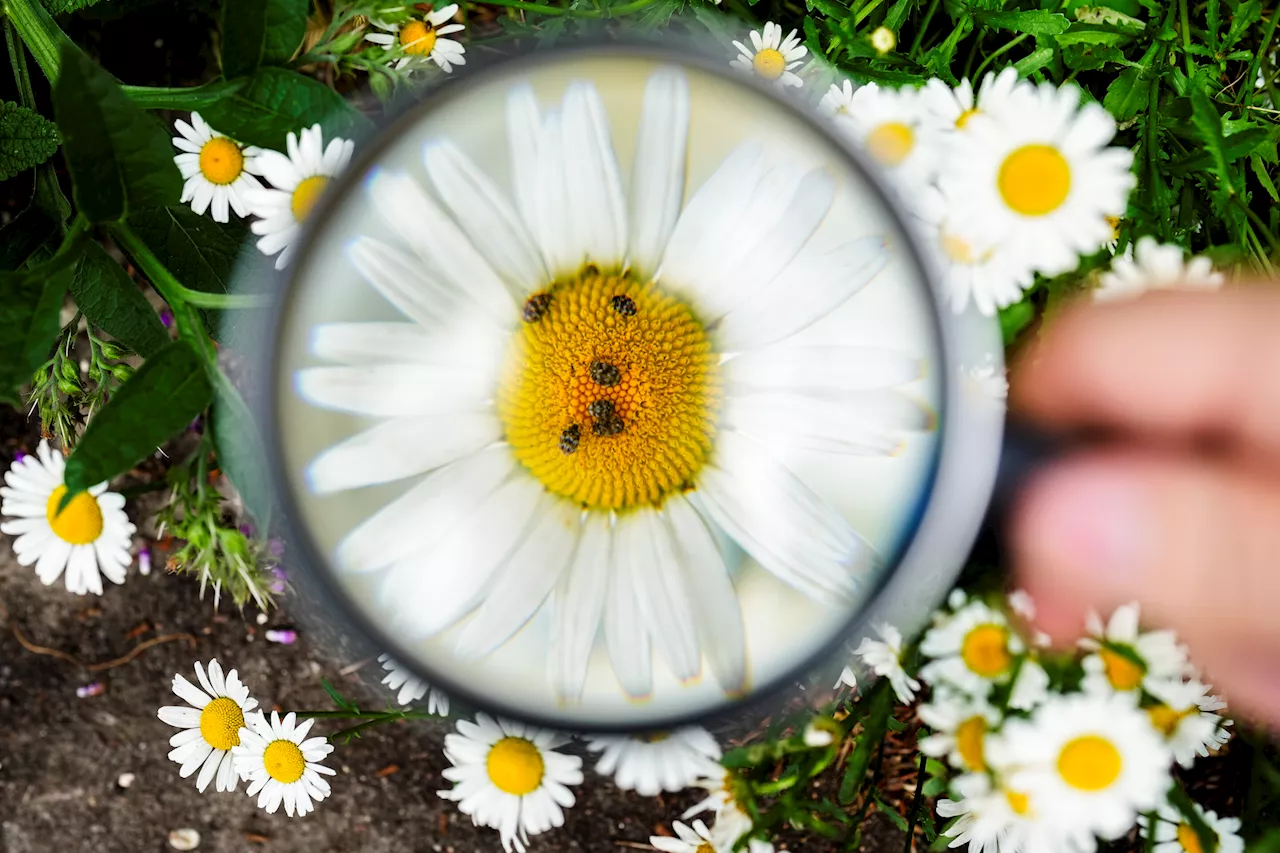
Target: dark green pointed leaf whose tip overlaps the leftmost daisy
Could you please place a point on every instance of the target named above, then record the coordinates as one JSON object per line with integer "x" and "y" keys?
{"x": 157, "y": 404}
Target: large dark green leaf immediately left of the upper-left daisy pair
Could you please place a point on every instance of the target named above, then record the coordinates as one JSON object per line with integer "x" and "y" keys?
{"x": 120, "y": 158}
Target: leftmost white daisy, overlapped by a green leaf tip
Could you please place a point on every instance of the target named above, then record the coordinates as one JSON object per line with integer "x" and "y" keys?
{"x": 90, "y": 539}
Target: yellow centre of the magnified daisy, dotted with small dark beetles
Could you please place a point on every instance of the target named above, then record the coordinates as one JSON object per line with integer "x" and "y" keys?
{"x": 609, "y": 391}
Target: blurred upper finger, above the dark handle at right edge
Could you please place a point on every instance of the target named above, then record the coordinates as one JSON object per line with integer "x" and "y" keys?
{"x": 1172, "y": 364}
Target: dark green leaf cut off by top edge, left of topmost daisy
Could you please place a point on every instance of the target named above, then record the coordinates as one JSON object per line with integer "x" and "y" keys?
{"x": 260, "y": 33}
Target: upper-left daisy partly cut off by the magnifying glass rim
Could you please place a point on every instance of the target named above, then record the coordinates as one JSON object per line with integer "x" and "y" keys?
{"x": 298, "y": 181}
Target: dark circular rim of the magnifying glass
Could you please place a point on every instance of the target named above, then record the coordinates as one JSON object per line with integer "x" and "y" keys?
{"x": 321, "y": 571}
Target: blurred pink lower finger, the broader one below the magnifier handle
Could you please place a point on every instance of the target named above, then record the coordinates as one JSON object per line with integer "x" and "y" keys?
{"x": 1196, "y": 544}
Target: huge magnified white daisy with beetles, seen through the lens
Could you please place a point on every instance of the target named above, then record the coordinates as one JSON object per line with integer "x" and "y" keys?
{"x": 540, "y": 344}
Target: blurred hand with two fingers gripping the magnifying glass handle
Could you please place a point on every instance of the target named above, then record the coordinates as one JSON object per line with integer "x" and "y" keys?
{"x": 1185, "y": 518}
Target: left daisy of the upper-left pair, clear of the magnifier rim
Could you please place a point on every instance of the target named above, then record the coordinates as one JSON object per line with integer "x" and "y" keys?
{"x": 218, "y": 171}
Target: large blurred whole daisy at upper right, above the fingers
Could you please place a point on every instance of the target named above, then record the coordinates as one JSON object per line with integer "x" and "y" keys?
{"x": 1039, "y": 180}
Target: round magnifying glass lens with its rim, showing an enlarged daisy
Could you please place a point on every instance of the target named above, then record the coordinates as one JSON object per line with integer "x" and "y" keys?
{"x": 609, "y": 390}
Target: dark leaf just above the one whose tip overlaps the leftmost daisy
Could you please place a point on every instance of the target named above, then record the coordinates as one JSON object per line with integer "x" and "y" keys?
{"x": 113, "y": 303}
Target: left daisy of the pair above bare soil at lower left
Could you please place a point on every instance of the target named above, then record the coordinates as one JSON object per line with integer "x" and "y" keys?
{"x": 211, "y": 727}
